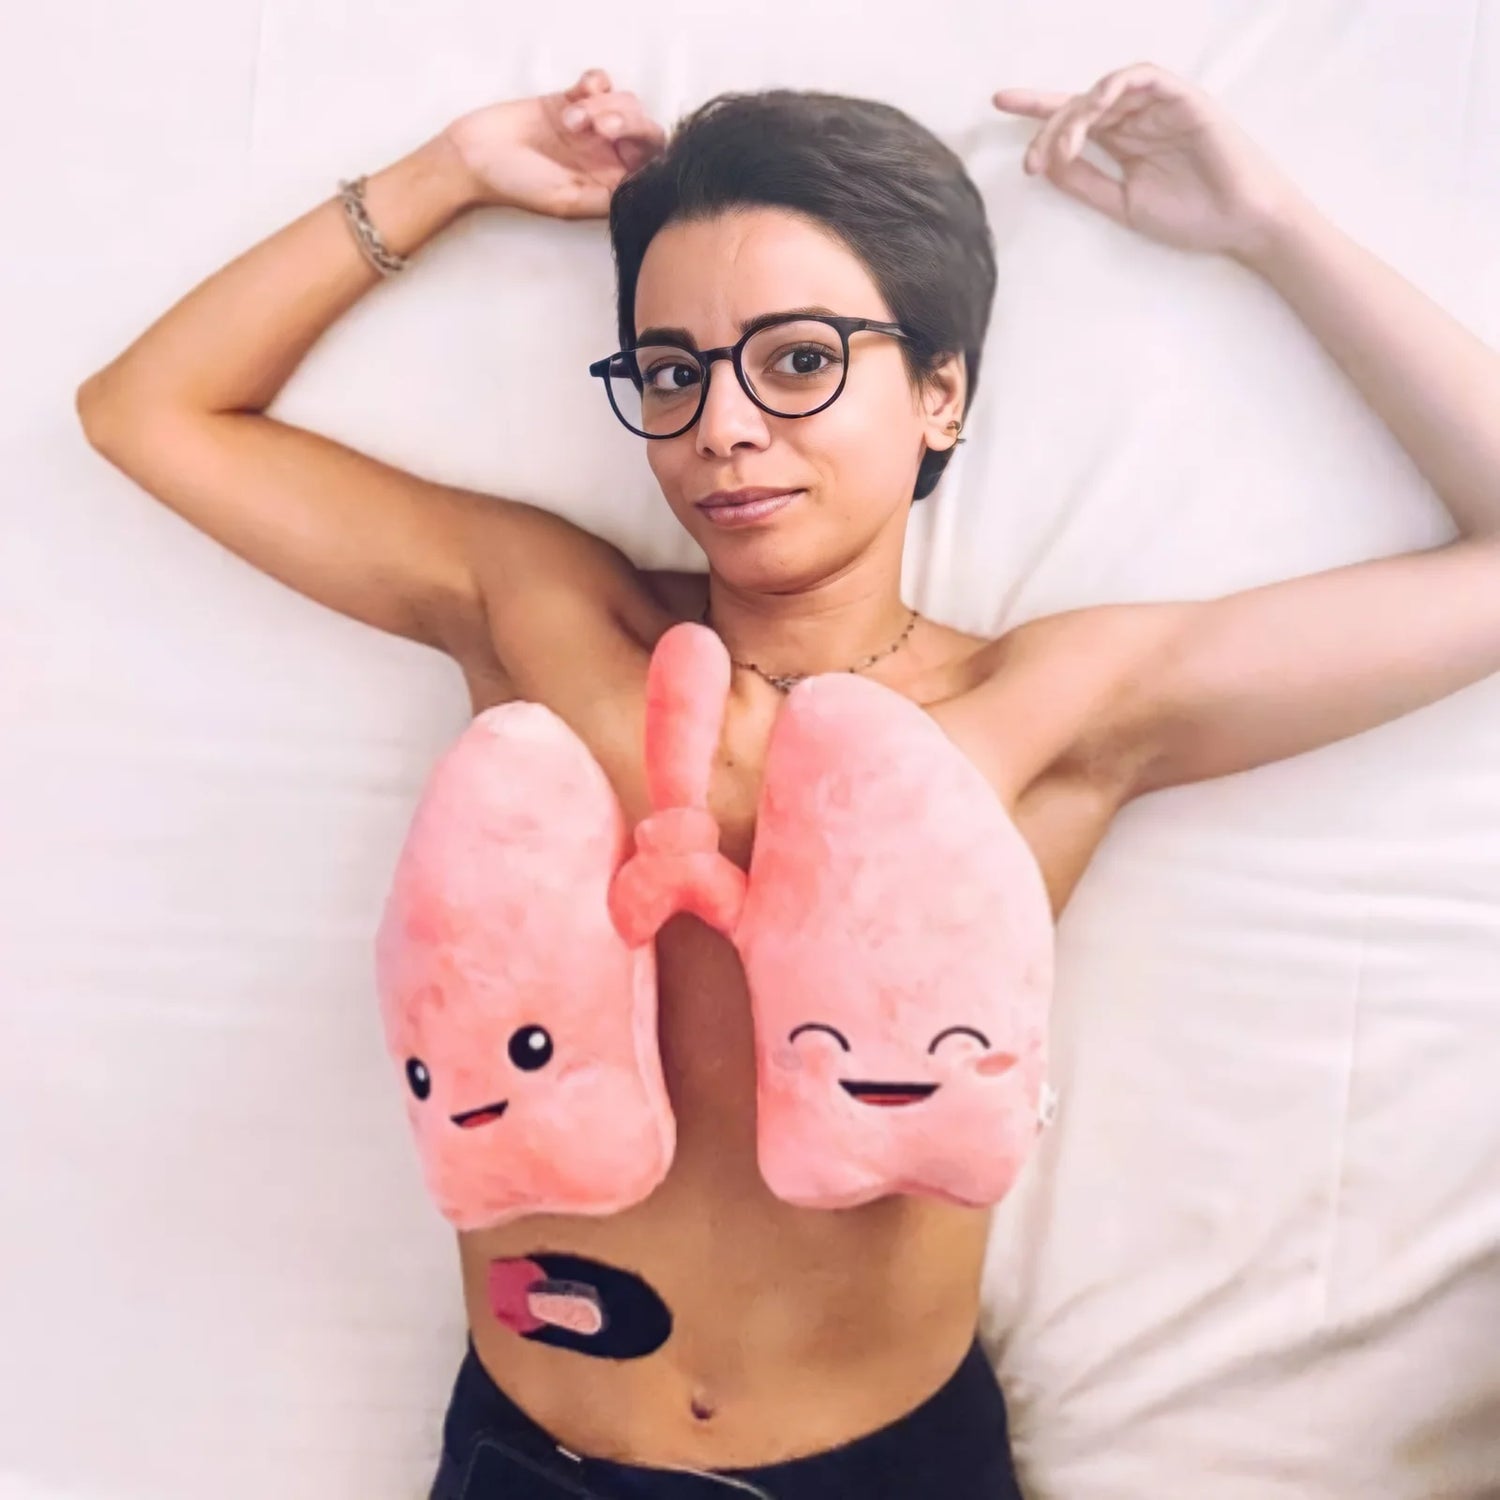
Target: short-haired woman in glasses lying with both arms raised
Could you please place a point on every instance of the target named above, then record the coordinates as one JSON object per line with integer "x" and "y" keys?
{"x": 812, "y": 1354}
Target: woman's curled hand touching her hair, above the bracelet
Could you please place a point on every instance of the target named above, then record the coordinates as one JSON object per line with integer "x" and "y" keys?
{"x": 563, "y": 154}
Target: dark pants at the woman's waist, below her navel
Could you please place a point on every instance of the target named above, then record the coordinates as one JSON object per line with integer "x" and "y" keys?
{"x": 953, "y": 1447}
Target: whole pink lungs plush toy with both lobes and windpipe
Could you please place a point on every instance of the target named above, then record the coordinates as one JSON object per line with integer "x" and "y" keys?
{"x": 895, "y": 931}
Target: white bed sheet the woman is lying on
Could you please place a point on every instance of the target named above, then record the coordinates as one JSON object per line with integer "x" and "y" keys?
{"x": 1259, "y": 1253}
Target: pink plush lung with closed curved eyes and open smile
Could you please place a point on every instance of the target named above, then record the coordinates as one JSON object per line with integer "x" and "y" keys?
{"x": 898, "y": 943}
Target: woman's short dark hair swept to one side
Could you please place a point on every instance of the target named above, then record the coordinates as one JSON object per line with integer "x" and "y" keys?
{"x": 883, "y": 184}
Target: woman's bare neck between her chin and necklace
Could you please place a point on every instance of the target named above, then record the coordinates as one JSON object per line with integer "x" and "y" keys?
{"x": 827, "y": 629}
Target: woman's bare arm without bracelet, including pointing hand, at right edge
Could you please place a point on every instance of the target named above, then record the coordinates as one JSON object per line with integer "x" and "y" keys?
{"x": 1180, "y": 692}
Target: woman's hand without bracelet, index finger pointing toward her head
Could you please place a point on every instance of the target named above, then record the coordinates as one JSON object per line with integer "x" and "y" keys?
{"x": 1189, "y": 175}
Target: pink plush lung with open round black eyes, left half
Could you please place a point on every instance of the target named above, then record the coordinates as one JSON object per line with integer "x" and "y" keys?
{"x": 523, "y": 1024}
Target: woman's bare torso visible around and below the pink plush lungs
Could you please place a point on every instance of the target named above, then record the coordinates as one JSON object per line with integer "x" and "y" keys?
{"x": 793, "y": 1330}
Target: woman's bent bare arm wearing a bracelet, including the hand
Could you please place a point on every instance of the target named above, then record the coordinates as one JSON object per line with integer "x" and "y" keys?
{"x": 184, "y": 409}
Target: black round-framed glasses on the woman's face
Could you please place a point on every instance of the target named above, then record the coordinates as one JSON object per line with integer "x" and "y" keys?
{"x": 790, "y": 365}
